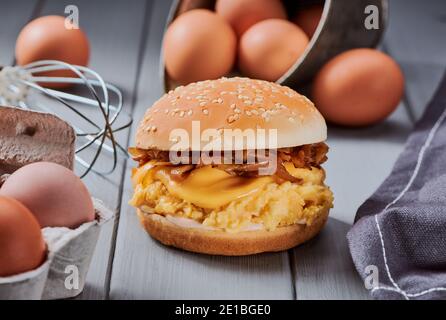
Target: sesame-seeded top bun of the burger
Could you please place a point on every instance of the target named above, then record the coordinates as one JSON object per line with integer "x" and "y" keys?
{"x": 232, "y": 103}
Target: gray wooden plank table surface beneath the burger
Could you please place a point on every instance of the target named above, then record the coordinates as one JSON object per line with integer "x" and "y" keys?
{"x": 126, "y": 38}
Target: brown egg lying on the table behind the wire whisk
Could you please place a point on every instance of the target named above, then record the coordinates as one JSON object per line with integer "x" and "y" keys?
{"x": 47, "y": 38}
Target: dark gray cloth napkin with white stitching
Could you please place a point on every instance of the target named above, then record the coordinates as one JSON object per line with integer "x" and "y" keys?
{"x": 398, "y": 241}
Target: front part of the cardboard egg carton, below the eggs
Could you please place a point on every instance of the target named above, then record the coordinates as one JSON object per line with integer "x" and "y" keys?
{"x": 64, "y": 272}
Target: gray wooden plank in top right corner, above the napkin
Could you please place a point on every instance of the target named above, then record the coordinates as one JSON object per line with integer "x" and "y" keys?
{"x": 416, "y": 39}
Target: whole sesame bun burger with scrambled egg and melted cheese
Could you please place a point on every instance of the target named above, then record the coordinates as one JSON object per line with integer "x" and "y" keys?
{"x": 231, "y": 167}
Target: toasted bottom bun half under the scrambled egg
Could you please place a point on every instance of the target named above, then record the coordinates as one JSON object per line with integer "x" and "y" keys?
{"x": 231, "y": 244}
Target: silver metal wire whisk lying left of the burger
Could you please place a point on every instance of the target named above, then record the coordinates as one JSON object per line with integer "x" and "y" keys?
{"x": 18, "y": 82}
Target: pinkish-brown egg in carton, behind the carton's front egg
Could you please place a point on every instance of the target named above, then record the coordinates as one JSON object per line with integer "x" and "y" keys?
{"x": 53, "y": 193}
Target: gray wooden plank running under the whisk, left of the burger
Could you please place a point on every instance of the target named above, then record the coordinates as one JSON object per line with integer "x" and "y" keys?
{"x": 115, "y": 30}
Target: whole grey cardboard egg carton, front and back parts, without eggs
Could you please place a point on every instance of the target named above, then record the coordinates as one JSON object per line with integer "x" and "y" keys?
{"x": 27, "y": 137}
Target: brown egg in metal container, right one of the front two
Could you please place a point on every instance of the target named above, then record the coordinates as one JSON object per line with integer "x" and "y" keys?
{"x": 269, "y": 48}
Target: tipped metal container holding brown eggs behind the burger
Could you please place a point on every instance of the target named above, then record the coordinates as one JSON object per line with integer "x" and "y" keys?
{"x": 341, "y": 28}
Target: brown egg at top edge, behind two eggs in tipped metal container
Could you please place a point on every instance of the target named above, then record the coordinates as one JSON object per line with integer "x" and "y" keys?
{"x": 243, "y": 14}
